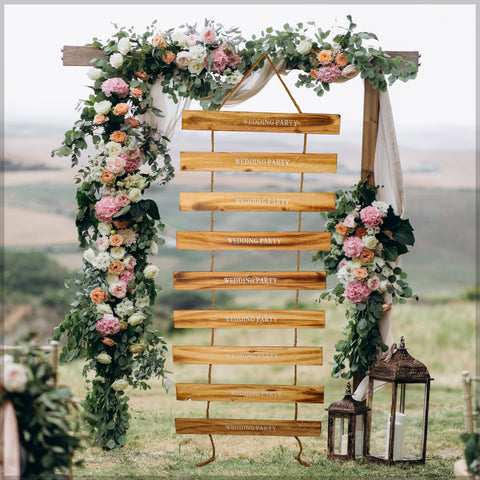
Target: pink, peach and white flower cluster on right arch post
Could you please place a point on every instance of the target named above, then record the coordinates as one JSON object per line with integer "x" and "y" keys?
{"x": 367, "y": 238}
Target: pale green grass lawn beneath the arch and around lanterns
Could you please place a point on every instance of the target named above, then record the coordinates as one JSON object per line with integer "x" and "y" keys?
{"x": 440, "y": 335}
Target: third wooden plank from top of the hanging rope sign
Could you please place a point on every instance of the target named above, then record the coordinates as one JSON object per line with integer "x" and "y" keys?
{"x": 257, "y": 201}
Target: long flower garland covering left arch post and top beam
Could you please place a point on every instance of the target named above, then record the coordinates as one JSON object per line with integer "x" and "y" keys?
{"x": 111, "y": 323}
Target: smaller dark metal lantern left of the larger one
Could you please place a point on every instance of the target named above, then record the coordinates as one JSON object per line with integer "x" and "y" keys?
{"x": 346, "y": 428}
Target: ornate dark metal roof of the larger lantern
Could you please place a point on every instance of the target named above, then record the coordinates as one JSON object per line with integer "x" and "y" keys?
{"x": 399, "y": 366}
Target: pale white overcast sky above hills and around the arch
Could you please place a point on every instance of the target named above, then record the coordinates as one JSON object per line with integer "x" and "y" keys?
{"x": 442, "y": 97}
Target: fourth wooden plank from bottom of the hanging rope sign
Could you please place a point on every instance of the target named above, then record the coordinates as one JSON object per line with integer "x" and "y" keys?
{"x": 249, "y": 318}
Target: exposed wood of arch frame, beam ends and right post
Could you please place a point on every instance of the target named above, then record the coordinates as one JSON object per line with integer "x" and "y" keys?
{"x": 79, "y": 56}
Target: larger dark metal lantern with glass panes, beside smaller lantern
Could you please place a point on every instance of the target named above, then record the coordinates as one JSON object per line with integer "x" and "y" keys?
{"x": 398, "y": 417}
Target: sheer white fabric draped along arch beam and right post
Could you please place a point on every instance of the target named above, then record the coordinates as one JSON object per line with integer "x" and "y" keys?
{"x": 387, "y": 169}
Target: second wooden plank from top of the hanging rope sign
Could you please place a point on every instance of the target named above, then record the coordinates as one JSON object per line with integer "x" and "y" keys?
{"x": 258, "y": 162}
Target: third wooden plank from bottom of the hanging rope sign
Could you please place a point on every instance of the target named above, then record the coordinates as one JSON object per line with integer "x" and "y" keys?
{"x": 248, "y": 355}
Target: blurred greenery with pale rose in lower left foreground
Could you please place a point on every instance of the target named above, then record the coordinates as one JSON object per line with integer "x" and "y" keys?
{"x": 46, "y": 414}
